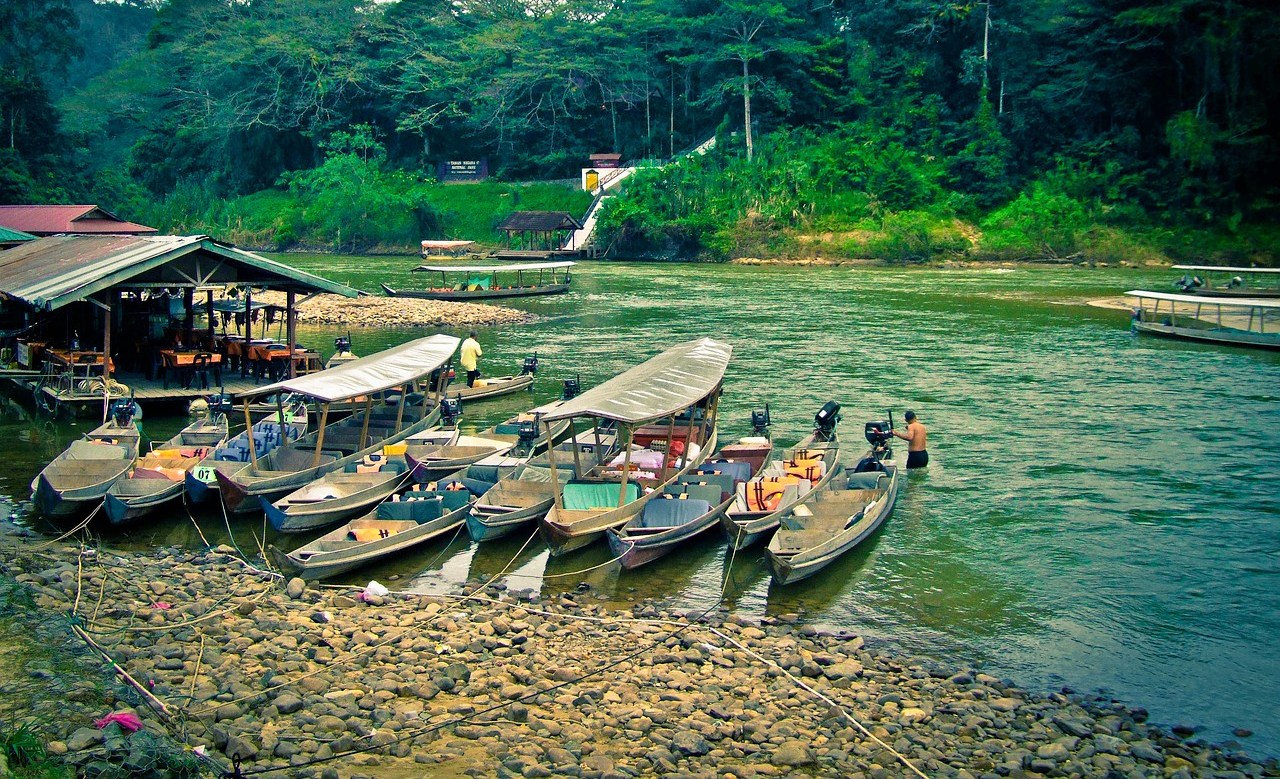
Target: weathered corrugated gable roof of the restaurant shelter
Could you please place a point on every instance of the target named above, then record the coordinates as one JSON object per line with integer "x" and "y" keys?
{"x": 51, "y": 273}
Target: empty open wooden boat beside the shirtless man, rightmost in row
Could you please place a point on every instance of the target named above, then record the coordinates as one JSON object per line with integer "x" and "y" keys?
{"x": 840, "y": 517}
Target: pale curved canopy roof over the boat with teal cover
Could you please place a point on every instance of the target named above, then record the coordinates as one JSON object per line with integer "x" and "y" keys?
{"x": 656, "y": 389}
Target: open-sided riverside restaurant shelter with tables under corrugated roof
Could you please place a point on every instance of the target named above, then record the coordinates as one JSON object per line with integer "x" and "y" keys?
{"x": 92, "y": 306}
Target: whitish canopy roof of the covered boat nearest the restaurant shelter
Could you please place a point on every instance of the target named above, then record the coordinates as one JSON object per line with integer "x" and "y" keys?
{"x": 382, "y": 372}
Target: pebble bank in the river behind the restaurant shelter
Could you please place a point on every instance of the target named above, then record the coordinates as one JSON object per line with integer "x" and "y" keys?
{"x": 374, "y": 311}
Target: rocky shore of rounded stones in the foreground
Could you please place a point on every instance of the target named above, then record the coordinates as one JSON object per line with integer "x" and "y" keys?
{"x": 296, "y": 681}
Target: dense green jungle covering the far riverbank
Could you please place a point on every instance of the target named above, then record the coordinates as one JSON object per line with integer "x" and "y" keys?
{"x": 895, "y": 129}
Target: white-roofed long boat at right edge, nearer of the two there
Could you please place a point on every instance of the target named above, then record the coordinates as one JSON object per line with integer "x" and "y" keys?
{"x": 1222, "y": 320}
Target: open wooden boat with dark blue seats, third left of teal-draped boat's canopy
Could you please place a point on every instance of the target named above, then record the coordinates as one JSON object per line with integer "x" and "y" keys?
{"x": 404, "y": 521}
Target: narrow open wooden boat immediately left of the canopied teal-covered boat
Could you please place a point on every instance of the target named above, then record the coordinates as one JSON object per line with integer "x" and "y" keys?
{"x": 527, "y": 493}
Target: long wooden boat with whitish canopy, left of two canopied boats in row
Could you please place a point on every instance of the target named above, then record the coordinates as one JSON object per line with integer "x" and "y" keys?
{"x": 388, "y": 418}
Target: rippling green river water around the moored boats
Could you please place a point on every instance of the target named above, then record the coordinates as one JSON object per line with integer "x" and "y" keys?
{"x": 1103, "y": 510}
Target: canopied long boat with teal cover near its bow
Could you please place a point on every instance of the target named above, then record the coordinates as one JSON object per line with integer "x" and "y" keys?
{"x": 666, "y": 415}
